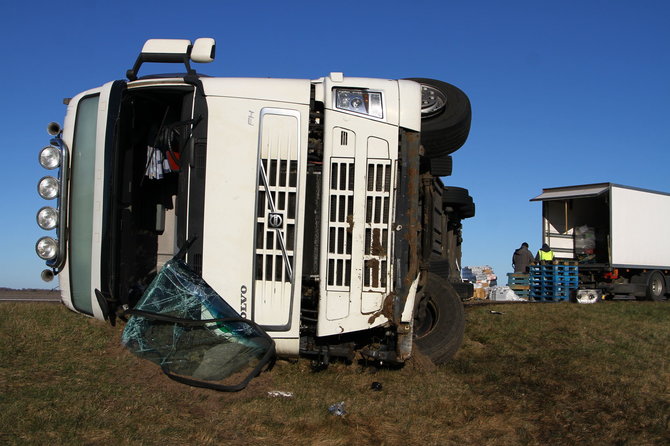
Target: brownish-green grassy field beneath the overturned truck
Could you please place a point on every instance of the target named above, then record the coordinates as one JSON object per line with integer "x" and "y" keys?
{"x": 539, "y": 374}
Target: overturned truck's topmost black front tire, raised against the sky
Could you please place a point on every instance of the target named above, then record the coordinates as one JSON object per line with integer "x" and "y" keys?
{"x": 445, "y": 122}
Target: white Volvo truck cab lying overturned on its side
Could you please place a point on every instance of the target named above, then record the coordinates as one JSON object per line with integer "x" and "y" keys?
{"x": 316, "y": 206}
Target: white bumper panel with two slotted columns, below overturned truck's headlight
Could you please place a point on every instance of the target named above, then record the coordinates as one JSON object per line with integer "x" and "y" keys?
{"x": 347, "y": 298}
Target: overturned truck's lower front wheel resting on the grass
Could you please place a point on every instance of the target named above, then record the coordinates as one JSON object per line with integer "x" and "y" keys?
{"x": 439, "y": 320}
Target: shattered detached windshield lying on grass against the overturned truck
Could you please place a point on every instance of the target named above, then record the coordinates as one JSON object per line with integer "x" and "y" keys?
{"x": 196, "y": 338}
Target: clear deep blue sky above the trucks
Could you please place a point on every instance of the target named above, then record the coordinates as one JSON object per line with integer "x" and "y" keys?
{"x": 563, "y": 93}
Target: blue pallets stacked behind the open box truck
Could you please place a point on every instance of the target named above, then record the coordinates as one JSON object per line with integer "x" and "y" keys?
{"x": 553, "y": 281}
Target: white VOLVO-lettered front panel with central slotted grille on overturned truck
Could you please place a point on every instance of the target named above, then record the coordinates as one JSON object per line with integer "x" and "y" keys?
{"x": 273, "y": 130}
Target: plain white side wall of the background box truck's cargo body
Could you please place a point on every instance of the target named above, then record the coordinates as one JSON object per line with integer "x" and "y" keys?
{"x": 640, "y": 234}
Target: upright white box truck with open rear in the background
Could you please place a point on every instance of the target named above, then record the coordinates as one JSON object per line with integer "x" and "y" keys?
{"x": 617, "y": 234}
